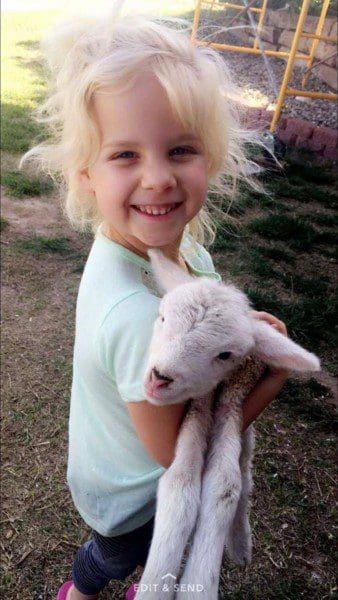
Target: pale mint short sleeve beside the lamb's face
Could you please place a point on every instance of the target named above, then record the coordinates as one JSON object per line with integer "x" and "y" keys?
{"x": 123, "y": 343}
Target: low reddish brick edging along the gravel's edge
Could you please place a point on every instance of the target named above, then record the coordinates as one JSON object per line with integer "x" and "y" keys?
{"x": 296, "y": 132}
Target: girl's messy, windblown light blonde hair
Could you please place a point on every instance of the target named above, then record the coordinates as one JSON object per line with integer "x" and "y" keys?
{"x": 89, "y": 53}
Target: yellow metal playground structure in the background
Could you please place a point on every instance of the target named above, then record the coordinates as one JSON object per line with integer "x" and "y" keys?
{"x": 258, "y": 47}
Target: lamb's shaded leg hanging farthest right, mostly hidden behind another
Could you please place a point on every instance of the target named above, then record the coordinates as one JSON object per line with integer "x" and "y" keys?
{"x": 239, "y": 544}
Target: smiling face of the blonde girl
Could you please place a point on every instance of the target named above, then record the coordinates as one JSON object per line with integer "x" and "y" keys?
{"x": 147, "y": 161}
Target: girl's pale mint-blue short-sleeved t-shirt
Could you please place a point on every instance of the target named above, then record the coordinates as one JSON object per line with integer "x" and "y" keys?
{"x": 112, "y": 478}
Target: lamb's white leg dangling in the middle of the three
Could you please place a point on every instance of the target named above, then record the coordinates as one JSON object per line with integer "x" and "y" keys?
{"x": 221, "y": 488}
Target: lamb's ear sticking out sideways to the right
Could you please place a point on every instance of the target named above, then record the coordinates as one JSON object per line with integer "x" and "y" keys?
{"x": 278, "y": 350}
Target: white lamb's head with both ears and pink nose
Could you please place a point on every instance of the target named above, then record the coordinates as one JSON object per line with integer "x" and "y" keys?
{"x": 203, "y": 332}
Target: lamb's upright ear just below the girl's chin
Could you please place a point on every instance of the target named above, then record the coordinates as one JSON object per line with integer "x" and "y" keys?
{"x": 167, "y": 274}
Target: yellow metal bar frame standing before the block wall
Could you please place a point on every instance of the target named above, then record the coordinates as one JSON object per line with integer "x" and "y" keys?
{"x": 291, "y": 56}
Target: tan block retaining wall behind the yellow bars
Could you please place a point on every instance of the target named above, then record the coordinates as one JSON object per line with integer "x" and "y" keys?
{"x": 277, "y": 34}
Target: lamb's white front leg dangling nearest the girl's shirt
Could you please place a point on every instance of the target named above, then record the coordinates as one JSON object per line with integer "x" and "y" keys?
{"x": 178, "y": 499}
